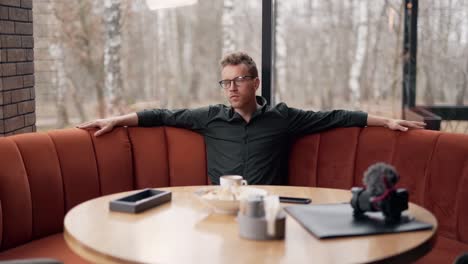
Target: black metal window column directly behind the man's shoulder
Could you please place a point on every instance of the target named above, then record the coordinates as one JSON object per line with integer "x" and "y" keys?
{"x": 268, "y": 33}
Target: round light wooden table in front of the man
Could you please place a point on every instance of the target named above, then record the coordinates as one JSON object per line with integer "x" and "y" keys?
{"x": 186, "y": 231}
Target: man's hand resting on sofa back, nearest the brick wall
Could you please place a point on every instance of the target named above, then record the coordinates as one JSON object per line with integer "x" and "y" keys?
{"x": 107, "y": 124}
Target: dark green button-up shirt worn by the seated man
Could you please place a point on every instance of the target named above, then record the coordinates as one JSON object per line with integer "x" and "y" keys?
{"x": 257, "y": 150}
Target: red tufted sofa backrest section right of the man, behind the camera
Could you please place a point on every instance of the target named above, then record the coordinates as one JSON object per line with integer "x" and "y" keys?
{"x": 432, "y": 165}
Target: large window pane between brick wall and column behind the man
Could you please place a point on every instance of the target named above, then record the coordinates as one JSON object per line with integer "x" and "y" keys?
{"x": 169, "y": 54}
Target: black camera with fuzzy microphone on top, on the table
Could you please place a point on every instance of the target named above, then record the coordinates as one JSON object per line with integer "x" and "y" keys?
{"x": 380, "y": 194}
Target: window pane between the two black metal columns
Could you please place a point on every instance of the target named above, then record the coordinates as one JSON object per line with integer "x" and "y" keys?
{"x": 340, "y": 54}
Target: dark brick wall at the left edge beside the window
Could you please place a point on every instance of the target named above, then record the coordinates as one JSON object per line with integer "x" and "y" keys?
{"x": 17, "y": 96}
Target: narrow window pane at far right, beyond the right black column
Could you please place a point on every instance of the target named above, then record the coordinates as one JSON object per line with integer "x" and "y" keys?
{"x": 442, "y": 72}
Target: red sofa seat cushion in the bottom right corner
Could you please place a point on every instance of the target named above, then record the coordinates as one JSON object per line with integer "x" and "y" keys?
{"x": 445, "y": 250}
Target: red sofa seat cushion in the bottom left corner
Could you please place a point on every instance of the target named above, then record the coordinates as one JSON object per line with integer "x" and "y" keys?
{"x": 53, "y": 246}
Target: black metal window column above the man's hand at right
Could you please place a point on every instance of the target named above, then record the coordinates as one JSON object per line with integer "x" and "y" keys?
{"x": 410, "y": 43}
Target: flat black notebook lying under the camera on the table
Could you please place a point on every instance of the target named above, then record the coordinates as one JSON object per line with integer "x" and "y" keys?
{"x": 337, "y": 220}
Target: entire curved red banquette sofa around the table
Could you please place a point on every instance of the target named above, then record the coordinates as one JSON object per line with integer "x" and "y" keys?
{"x": 43, "y": 175}
